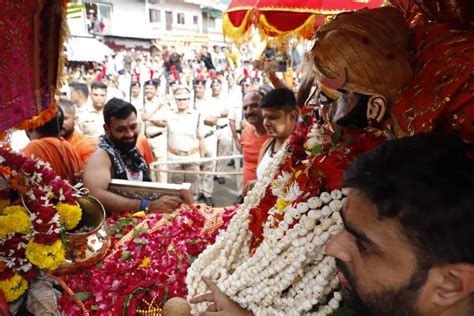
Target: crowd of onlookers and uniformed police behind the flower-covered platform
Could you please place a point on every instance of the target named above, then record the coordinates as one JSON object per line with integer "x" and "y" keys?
{"x": 176, "y": 112}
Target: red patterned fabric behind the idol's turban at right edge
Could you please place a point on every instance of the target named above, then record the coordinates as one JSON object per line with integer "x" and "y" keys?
{"x": 439, "y": 97}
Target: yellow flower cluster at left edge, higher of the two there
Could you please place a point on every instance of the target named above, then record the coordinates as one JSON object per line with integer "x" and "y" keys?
{"x": 15, "y": 219}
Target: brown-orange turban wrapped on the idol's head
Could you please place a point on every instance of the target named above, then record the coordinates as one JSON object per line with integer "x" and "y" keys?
{"x": 364, "y": 51}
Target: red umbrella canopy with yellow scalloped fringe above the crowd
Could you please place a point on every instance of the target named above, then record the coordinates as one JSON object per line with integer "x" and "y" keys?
{"x": 280, "y": 18}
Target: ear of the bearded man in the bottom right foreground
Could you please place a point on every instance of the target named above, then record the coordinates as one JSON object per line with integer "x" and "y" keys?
{"x": 456, "y": 284}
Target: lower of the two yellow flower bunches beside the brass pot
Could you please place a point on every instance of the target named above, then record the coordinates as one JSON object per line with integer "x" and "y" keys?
{"x": 46, "y": 256}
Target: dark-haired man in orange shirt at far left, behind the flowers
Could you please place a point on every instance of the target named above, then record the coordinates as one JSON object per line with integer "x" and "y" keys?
{"x": 47, "y": 144}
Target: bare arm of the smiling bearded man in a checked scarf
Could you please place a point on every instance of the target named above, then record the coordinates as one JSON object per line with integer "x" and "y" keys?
{"x": 97, "y": 176}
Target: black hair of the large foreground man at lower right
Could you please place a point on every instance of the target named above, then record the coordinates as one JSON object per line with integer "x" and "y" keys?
{"x": 426, "y": 182}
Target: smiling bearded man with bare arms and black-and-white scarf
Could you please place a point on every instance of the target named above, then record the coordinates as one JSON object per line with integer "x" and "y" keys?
{"x": 117, "y": 157}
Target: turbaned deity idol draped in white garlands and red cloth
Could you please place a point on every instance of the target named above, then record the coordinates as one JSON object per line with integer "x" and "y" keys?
{"x": 271, "y": 259}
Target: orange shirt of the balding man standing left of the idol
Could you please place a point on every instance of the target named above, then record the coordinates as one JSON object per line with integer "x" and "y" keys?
{"x": 251, "y": 145}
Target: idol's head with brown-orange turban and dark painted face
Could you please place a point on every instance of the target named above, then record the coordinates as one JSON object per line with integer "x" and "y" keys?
{"x": 359, "y": 71}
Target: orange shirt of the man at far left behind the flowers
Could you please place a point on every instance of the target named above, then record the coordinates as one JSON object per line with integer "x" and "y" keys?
{"x": 59, "y": 153}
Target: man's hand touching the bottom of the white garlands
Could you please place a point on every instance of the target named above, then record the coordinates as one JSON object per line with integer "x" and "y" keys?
{"x": 222, "y": 304}
